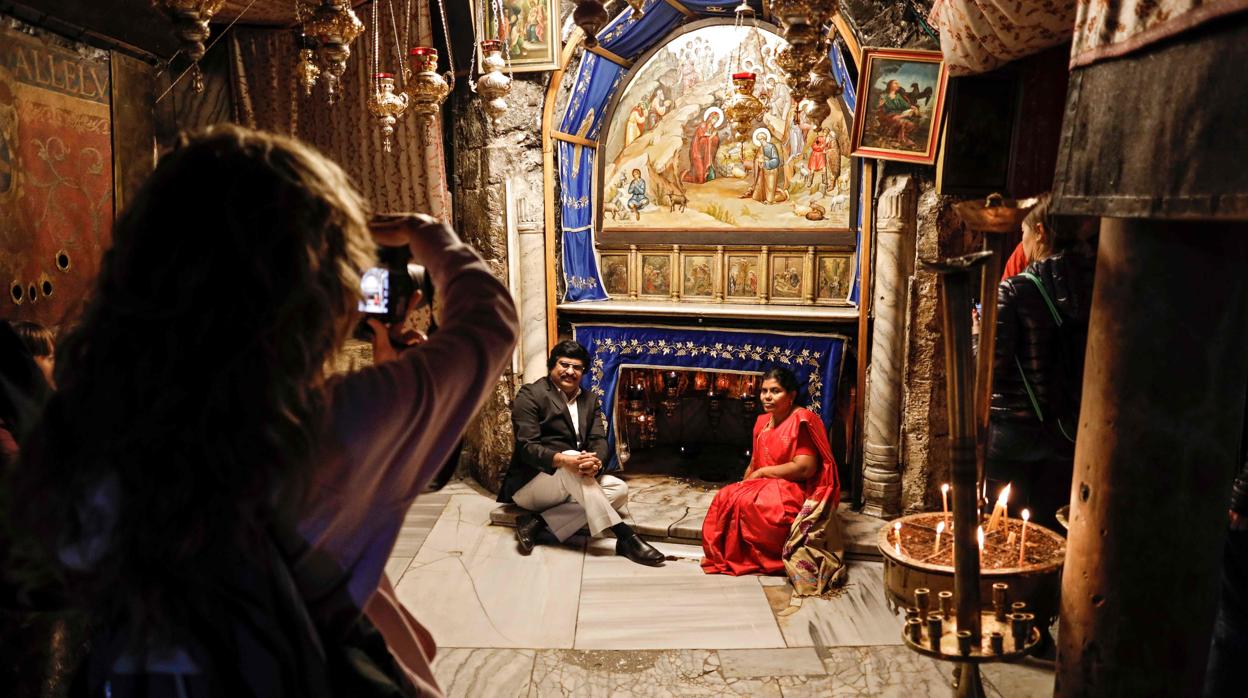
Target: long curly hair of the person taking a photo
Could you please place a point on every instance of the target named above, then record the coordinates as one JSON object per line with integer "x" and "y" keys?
{"x": 195, "y": 379}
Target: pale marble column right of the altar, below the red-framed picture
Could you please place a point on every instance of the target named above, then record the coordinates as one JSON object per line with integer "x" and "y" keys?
{"x": 897, "y": 214}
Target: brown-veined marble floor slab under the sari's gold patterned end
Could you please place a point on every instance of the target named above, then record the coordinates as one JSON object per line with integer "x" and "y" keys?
{"x": 859, "y": 616}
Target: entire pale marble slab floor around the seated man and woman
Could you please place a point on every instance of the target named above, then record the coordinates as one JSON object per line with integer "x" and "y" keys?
{"x": 576, "y": 620}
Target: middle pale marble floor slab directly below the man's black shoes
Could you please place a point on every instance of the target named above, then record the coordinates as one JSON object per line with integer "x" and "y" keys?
{"x": 627, "y": 606}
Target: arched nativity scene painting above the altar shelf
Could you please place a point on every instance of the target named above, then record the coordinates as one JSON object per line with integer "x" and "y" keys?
{"x": 675, "y": 164}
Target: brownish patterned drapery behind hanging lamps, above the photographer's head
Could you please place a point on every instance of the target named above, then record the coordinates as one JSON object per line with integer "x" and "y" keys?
{"x": 268, "y": 97}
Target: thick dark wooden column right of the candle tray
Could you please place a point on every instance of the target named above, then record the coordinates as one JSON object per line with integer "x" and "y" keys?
{"x": 1160, "y": 429}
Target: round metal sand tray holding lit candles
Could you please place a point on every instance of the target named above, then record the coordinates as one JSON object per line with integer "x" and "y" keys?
{"x": 915, "y": 561}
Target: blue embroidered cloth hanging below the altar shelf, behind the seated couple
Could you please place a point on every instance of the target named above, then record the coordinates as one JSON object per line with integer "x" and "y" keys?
{"x": 814, "y": 359}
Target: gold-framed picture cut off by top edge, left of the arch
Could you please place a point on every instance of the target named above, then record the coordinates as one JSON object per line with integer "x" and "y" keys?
{"x": 531, "y": 38}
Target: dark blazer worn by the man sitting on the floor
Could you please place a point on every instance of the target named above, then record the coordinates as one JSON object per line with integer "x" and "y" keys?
{"x": 544, "y": 428}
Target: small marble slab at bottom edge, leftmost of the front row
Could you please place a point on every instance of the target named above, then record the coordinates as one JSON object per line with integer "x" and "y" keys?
{"x": 472, "y": 674}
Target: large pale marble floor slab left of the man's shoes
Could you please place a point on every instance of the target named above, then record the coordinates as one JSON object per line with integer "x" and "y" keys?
{"x": 471, "y": 586}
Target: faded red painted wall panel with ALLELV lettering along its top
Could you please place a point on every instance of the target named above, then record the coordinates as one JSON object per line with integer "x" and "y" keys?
{"x": 56, "y": 174}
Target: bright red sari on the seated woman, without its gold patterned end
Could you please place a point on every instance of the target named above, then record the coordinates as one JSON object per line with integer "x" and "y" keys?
{"x": 748, "y": 523}
